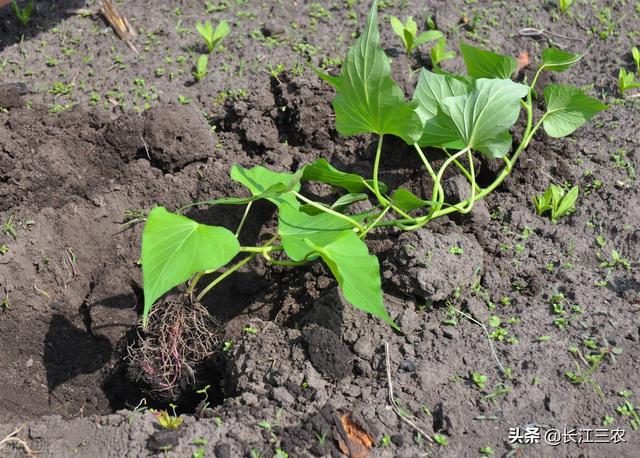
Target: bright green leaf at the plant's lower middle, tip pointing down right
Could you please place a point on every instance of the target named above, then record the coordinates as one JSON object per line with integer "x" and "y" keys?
{"x": 357, "y": 273}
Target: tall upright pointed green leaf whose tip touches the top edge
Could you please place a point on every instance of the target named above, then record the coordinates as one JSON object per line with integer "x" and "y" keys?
{"x": 368, "y": 99}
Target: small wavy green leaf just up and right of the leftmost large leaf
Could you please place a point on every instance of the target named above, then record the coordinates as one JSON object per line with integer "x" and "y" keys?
{"x": 260, "y": 182}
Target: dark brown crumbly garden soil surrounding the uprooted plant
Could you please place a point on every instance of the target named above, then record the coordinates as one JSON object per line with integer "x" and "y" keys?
{"x": 79, "y": 160}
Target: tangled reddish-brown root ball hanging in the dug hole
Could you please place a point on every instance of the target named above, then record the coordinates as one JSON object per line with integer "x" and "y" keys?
{"x": 180, "y": 336}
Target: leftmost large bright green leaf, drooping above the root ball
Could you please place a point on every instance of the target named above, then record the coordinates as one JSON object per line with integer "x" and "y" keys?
{"x": 174, "y": 248}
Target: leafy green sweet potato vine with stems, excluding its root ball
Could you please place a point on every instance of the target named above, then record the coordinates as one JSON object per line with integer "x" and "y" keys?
{"x": 462, "y": 115}
